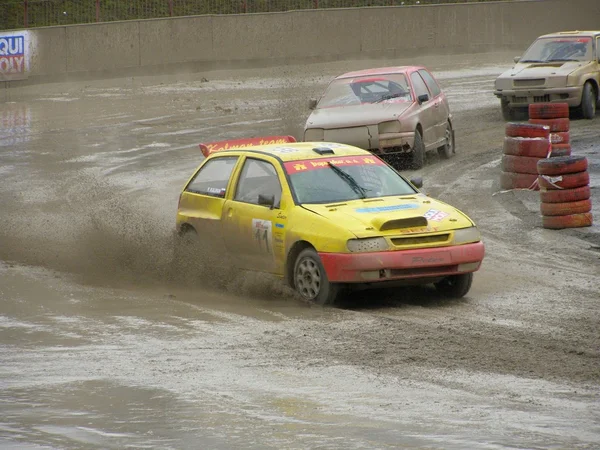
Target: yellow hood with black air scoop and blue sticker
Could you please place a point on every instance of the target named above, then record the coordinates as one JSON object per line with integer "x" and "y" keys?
{"x": 386, "y": 216}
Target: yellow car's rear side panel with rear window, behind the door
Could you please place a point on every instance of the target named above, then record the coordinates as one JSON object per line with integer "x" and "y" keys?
{"x": 202, "y": 201}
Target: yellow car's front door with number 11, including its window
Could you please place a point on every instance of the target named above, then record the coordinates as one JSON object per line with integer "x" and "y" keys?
{"x": 254, "y": 227}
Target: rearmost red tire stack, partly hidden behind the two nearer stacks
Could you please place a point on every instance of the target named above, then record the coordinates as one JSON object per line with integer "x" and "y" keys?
{"x": 556, "y": 117}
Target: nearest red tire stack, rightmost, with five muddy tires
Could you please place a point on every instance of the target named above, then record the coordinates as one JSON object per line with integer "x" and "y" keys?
{"x": 565, "y": 192}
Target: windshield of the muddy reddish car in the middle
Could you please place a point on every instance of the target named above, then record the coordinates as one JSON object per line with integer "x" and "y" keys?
{"x": 366, "y": 89}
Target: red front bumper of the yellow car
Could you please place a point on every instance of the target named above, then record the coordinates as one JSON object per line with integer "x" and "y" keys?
{"x": 402, "y": 264}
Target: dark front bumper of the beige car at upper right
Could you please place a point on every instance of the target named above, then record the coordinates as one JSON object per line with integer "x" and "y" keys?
{"x": 524, "y": 97}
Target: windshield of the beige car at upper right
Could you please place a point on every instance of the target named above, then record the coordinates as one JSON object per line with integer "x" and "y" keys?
{"x": 559, "y": 49}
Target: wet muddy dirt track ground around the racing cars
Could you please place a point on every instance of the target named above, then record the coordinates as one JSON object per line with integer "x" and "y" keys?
{"x": 102, "y": 345}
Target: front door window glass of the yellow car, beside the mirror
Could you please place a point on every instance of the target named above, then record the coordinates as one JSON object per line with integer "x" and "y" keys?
{"x": 258, "y": 177}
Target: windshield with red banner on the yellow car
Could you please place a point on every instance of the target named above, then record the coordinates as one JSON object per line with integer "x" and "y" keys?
{"x": 334, "y": 180}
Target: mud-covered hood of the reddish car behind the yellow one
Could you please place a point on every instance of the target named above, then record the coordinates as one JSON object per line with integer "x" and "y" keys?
{"x": 355, "y": 115}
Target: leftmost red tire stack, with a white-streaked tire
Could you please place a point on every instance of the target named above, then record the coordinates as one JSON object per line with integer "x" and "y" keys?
{"x": 524, "y": 145}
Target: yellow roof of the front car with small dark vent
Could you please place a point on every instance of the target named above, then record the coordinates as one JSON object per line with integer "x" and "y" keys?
{"x": 298, "y": 151}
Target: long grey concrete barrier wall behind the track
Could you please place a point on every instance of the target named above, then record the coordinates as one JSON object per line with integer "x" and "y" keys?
{"x": 204, "y": 42}
